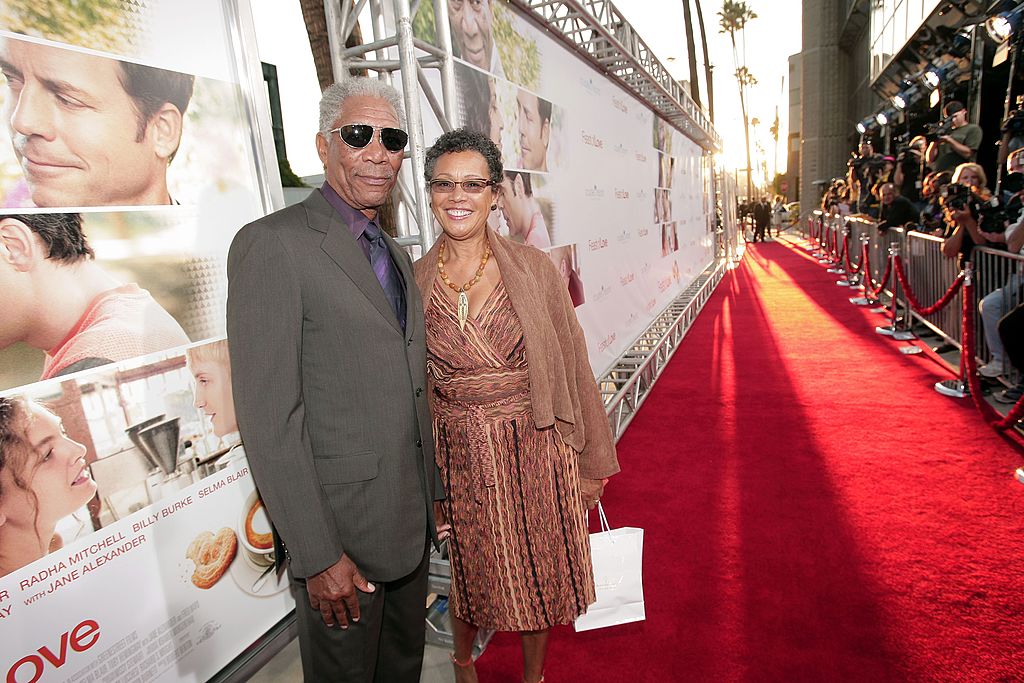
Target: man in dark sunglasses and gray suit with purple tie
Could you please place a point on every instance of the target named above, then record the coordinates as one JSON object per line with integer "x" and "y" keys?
{"x": 327, "y": 347}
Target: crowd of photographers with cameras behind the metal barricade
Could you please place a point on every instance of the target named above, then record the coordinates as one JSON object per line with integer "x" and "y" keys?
{"x": 934, "y": 186}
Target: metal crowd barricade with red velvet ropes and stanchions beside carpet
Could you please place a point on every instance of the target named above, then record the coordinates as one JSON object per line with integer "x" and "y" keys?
{"x": 908, "y": 271}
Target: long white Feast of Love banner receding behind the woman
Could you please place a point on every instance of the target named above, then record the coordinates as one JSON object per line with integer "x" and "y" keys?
{"x": 622, "y": 201}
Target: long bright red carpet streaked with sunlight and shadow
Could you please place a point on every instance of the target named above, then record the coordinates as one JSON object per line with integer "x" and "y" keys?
{"x": 814, "y": 510}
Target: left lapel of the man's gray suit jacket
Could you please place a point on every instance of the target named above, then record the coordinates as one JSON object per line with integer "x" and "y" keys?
{"x": 343, "y": 248}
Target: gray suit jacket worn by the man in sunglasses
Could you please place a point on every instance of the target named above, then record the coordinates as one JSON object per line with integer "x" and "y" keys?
{"x": 330, "y": 394}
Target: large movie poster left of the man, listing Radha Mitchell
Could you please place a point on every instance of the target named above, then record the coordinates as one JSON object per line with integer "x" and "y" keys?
{"x": 134, "y": 545}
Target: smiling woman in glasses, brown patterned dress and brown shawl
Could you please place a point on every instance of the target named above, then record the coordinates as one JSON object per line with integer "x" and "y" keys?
{"x": 524, "y": 444}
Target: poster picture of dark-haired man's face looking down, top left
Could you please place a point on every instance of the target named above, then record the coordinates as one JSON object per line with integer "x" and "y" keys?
{"x": 88, "y": 131}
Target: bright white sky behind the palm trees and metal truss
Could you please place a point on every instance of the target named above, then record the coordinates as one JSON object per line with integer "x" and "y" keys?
{"x": 772, "y": 38}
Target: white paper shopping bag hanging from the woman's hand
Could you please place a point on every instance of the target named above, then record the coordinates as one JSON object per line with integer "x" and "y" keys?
{"x": 618, "y": 558}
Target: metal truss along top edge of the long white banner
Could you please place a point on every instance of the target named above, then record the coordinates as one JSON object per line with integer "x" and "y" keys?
{"x": 598, "y": 31}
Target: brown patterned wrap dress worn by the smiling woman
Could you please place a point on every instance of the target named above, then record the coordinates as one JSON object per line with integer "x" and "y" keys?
{"x": 520, "y": 550}
